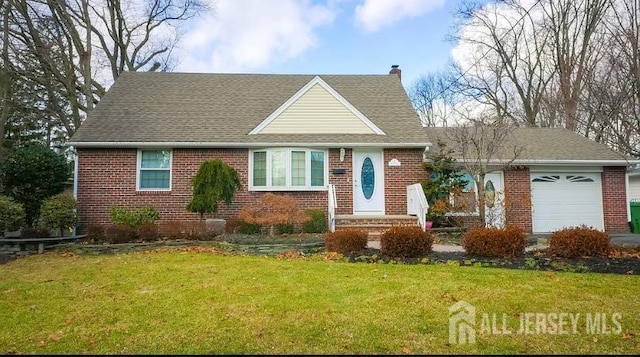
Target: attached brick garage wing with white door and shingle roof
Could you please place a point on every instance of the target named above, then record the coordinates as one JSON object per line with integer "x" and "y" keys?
{"x": 557, "y": 179}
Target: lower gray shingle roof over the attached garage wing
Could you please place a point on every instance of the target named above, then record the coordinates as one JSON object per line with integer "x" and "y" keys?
{"x": 545, "y": 145}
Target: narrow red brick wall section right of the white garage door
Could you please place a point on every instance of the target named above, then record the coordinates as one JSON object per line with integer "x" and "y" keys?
{"x": 614, "y": 199}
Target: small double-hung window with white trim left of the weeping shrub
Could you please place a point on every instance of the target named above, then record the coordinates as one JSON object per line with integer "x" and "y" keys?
{"x": 154, "y": 170}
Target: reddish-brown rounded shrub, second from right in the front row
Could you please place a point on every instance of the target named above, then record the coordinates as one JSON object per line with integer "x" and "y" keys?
{"x": 495, "y": 242}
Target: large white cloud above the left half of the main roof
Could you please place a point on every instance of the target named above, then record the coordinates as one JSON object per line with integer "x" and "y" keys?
{"x": 246, "y": 35}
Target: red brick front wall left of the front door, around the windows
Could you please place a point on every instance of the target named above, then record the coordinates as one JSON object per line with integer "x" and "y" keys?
{"x": 107, "y": 177}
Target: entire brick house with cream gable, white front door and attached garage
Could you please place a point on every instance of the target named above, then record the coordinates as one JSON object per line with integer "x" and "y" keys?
{"x": 351, "y": 145}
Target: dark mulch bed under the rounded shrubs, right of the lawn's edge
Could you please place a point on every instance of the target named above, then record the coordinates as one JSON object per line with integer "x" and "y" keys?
{"x": 622, "y": 260}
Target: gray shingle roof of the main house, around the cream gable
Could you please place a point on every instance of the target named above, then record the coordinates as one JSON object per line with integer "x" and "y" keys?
{"x": 217, "y": 109}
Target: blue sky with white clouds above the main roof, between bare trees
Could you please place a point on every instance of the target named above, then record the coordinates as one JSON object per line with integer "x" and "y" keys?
{"x": 320, "y": 37}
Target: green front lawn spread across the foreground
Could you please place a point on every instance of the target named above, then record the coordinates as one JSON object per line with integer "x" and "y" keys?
{"x": 200, "y": 302}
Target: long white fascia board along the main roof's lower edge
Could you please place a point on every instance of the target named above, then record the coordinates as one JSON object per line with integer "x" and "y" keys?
{"x": 178, "y": 145}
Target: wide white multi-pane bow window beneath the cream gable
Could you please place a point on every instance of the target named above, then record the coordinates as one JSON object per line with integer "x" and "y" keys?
{"x": 288, "y": 169}
